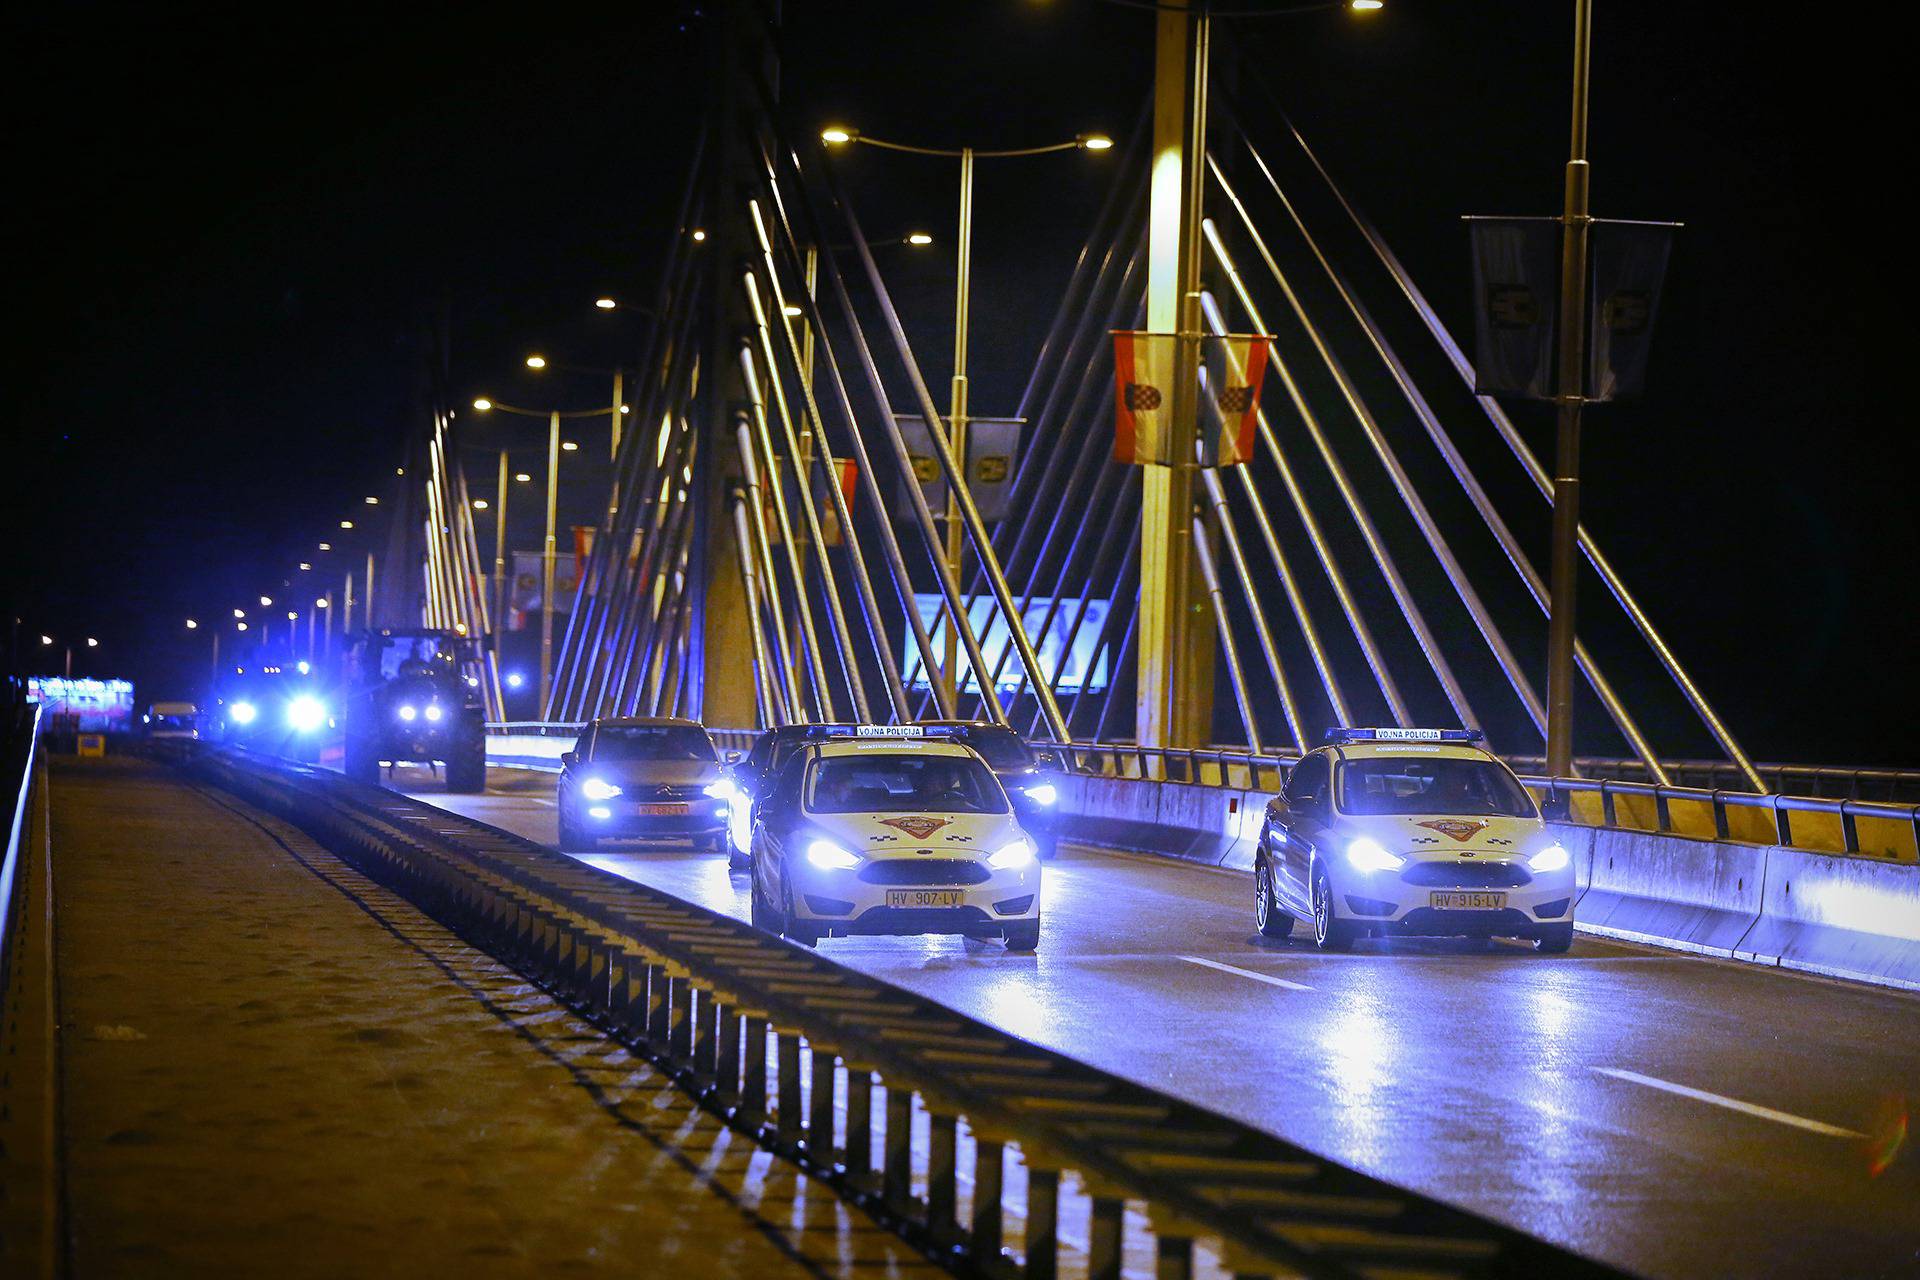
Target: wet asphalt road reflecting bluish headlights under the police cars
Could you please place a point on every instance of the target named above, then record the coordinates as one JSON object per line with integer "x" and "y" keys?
{"x": 1669, "y": 1114}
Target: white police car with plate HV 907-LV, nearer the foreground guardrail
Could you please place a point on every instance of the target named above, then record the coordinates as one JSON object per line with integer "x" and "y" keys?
{"x": 892, "y": 830}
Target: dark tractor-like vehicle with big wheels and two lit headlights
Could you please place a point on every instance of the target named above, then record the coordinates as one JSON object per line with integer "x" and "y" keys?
{"x": 414, "y": 698}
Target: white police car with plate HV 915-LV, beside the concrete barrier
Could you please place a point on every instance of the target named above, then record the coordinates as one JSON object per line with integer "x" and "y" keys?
{"x": 1410, "y": 832}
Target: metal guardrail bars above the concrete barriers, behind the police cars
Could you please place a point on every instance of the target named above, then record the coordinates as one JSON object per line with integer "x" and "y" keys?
{"x": 1226, "y": 767}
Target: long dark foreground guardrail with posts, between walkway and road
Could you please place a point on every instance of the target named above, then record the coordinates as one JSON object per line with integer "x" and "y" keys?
{"x": 731, "y": 1012}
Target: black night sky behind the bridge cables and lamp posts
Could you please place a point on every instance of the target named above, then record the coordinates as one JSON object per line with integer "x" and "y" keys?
{"x": 231, "y": 229}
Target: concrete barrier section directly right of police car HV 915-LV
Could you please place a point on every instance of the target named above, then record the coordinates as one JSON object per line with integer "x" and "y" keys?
{"x": 1694, "y": 895}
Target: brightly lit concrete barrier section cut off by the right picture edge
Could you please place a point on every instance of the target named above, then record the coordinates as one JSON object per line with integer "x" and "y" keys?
{"x": 1850, "y": 918}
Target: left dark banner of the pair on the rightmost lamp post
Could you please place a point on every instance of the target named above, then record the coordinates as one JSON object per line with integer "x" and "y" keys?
{"x": 1516, "y": 291}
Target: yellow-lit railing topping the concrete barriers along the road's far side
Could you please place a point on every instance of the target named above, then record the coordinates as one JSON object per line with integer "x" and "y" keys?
{"x": 1813, "y": 824}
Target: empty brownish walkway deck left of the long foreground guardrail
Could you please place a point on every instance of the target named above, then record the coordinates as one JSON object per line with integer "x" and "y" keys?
{"x": 274, "y": 1066}
